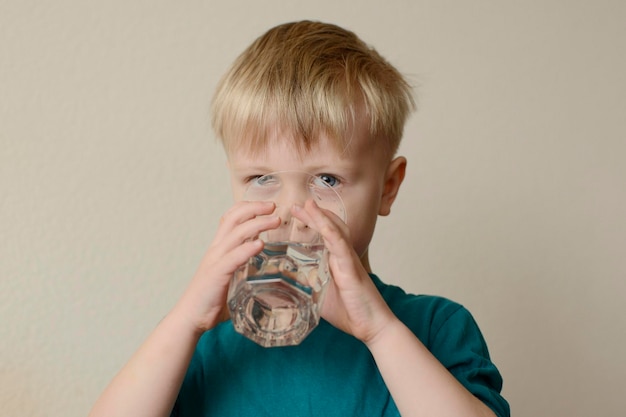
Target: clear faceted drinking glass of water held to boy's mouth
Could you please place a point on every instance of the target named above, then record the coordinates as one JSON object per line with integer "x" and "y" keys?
{"x": 276, "y": 297}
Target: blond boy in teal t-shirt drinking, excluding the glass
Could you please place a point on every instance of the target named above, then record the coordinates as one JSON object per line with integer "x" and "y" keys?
{"x": 311, "y": 97}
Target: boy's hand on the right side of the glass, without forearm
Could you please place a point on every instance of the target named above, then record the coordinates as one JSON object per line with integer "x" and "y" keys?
{"x": 353, "y": 303}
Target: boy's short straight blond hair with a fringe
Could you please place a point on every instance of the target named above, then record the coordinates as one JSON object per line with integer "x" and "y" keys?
{"x": 308, "y": 78}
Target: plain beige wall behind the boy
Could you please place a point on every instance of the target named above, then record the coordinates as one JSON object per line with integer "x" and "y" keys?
{"x": 111, "y": 182}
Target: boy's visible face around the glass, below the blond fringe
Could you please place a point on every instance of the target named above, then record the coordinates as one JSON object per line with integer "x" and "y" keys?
{"x": 359, "y": 175}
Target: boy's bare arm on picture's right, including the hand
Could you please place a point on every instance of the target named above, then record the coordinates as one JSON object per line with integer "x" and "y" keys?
{"x": 419, "y": 384}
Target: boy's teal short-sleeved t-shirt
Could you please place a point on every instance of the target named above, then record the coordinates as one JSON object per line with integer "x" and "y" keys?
{"x": 331, "y": 373}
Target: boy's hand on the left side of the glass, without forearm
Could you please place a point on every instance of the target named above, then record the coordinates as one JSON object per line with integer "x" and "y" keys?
{"x": 203, "y": 304}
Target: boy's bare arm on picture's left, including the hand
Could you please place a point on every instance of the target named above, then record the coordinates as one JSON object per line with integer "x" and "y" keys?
{"x": 149, "y": 383}
